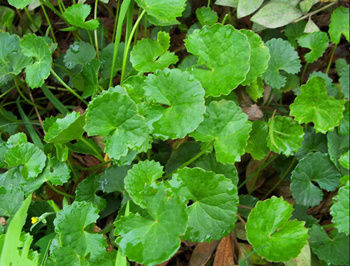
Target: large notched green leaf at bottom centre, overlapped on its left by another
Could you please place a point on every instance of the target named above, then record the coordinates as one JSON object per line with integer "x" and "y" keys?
{"x": 214, "y": 200}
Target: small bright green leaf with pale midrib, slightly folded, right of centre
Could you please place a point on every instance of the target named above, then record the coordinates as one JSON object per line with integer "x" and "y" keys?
{"x": 285, "y": 135}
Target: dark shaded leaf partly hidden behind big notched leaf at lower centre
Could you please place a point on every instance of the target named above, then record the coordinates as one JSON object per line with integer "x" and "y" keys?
{"x": 209, "y": 163}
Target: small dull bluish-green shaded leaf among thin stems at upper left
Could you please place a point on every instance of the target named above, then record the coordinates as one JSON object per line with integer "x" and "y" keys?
{"x": 79, "y": 53}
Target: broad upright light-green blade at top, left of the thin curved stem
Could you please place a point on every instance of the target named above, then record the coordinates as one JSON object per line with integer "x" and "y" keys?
{"x": 123, "y": 10}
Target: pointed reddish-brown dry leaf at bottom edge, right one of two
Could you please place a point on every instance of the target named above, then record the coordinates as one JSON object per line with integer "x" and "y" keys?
{"x": 224, "y": 253}
